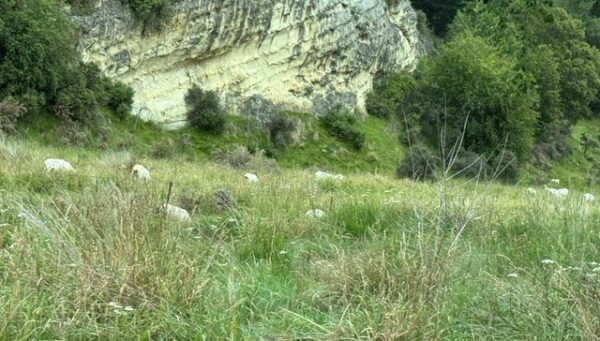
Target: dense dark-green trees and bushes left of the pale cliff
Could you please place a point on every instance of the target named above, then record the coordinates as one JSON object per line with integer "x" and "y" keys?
{"x": 38, "y": 65}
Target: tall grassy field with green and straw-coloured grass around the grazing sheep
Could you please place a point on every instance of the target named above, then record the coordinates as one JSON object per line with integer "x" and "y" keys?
{"x": 89, "y": 255}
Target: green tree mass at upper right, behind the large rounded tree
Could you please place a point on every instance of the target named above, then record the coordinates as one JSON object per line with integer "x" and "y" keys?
{"x": 552, "y": 41}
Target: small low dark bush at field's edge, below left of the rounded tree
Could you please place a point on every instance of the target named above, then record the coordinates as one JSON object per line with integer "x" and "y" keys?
{"x": 418, "y": 164}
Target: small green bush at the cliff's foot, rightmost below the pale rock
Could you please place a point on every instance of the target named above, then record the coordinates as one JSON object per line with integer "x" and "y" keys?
{"x": 340, "y": 123}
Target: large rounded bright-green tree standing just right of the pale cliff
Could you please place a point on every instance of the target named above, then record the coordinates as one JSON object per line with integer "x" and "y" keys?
{"x": 474, "y": 83}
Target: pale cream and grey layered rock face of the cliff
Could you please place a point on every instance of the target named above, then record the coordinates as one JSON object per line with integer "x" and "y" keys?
{"x": 304, "y": 55}
